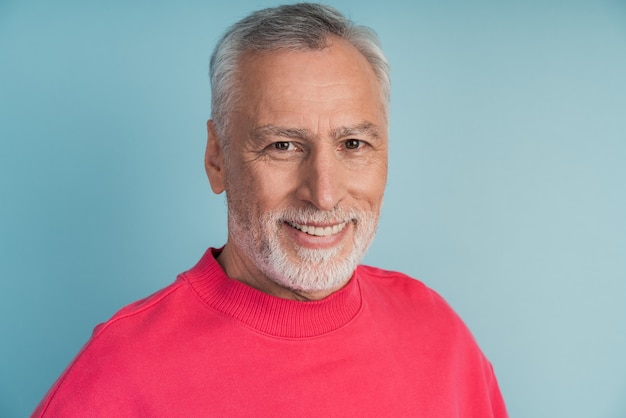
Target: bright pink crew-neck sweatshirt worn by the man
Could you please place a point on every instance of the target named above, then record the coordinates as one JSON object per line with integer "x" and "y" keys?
{"x": 385, "y": 345}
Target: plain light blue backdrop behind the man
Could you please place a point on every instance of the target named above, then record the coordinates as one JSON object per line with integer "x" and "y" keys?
{"x": 506, "y": 191}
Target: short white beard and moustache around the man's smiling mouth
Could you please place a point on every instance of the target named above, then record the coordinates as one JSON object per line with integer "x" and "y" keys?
{"x": 259, "y": 234}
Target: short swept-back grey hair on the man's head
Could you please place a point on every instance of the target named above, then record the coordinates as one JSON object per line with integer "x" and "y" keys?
{"x": 296, "y": 27}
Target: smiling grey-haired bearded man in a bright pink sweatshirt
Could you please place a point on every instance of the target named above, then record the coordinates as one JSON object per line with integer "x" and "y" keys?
{"x": 282, "y": 321}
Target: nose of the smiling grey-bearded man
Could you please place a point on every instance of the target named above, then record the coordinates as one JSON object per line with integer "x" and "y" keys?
{"x": 322, "y": 181}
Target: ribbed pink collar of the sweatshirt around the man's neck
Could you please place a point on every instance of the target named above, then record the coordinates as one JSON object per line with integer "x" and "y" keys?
{"x": 269, "y": 314}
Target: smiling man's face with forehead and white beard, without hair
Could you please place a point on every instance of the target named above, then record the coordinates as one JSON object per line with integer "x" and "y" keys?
{"x": 306, "y": 167}
